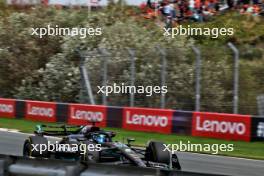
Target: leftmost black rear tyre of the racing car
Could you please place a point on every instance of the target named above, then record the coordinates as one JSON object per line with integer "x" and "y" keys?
{"x": 37, "y": 141}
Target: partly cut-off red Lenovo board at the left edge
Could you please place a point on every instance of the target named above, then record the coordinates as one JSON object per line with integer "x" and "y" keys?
{"x": 7, "y": 108}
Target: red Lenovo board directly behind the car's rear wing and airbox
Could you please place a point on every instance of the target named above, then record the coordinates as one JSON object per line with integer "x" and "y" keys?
{"x": 80, "y": 114}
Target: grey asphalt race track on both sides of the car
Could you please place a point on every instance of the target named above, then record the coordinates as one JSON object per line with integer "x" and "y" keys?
{"x": 12, "y": 144}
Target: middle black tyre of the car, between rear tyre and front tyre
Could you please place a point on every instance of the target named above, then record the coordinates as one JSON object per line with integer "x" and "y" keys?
{"x": 90, "y": 156}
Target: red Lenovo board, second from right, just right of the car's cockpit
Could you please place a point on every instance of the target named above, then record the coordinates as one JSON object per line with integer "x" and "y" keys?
{"x": 149, "y": 120}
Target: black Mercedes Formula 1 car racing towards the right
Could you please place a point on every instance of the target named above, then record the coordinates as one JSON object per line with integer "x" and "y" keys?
{"x": 90, "y": 144}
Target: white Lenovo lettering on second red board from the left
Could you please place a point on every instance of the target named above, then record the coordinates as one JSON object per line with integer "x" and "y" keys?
{"x": 40, "y": 111}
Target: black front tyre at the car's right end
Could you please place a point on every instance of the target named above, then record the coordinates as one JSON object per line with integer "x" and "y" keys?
{"x": 155, "y": 152}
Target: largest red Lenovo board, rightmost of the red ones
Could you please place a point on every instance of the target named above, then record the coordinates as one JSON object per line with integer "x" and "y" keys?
{"x": 223, "y": 126}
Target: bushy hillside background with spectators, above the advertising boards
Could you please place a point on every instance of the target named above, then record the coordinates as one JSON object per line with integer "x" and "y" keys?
{"x": 50, "y": 69}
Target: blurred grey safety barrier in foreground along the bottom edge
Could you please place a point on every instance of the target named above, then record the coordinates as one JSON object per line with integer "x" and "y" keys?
{"x": 18, "y": 166}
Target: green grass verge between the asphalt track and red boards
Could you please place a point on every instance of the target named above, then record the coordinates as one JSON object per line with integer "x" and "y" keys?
{"x": 253, "y": 150}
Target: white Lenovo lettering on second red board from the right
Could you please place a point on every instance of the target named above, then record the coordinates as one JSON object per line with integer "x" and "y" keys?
{"x": 146, "y": 120}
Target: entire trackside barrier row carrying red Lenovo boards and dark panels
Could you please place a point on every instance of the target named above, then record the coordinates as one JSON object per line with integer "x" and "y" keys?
{"x": 167, "y": 121}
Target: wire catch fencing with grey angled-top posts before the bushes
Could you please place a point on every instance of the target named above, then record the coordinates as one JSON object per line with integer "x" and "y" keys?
{"x": 198, "y": 81}
